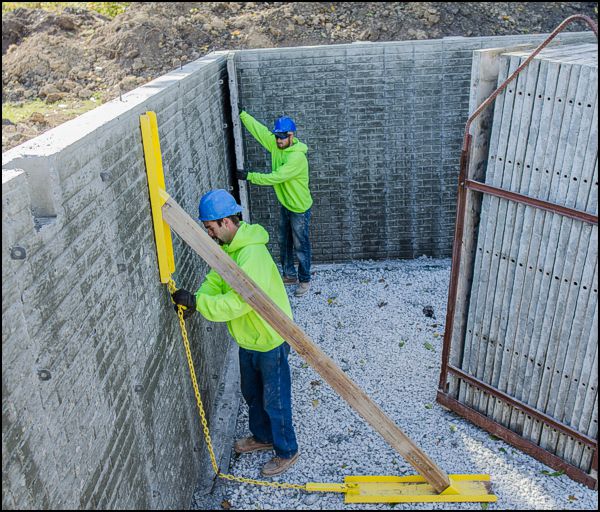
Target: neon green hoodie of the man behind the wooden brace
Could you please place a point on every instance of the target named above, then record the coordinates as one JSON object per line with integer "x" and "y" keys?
{"x": 217, "y": 301}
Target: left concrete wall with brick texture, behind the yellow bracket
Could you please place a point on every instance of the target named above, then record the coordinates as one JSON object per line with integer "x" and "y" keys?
{"x": 97, "y": 407}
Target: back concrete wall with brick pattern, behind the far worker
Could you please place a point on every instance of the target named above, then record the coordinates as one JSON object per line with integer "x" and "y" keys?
{"x": 384, "y": 125}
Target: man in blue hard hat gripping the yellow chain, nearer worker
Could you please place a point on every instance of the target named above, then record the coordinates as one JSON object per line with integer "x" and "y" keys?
{"x": 263, "y": 354}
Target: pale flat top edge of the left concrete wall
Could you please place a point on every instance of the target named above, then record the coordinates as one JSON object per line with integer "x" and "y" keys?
{"x": 57, "y": 139}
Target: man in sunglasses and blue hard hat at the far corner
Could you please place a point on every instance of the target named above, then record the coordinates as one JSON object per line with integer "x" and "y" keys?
{"x": 289, "y": 178}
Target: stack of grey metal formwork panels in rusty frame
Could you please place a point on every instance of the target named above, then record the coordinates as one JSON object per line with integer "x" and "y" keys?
{"x": 527, "y": 360}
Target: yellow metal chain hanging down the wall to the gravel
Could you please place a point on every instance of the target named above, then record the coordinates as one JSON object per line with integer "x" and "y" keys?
{"x": 188, "y": 353}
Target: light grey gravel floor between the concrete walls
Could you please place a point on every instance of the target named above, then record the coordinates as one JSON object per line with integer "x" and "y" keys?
{"x": 368, "y": 316}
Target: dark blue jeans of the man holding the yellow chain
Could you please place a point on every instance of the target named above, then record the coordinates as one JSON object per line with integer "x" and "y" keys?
{"x": 267, "y": 389}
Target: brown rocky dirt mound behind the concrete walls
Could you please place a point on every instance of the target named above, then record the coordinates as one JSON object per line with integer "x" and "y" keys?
{"x": 77, "y": 54}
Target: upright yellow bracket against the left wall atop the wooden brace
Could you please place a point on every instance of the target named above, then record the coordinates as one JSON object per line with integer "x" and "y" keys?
{"x": 158, "y": 196}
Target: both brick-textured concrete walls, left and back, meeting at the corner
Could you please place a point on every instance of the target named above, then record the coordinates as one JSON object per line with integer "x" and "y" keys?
{"x": 98, "y": 410}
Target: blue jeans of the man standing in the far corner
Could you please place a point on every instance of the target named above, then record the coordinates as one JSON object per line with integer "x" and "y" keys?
{"x": 293, "y": 238}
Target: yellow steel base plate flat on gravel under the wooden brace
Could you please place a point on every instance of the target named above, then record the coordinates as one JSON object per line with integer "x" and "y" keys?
{"x": 415, "y": 489}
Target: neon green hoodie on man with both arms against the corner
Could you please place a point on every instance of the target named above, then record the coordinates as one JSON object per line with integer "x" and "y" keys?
{"x": 289, "y": 175}
